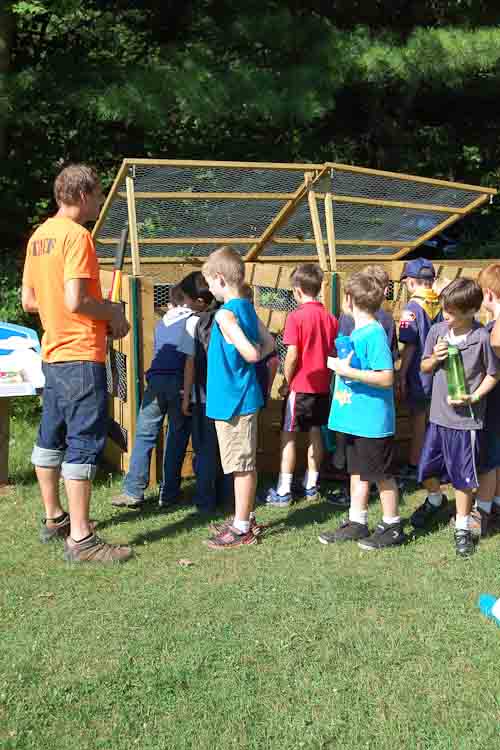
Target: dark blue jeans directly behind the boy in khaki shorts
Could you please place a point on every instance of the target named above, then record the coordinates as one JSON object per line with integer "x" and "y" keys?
{"x": 212, "y": 486}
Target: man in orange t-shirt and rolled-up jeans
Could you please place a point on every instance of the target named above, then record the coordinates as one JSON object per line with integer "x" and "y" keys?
{"x": 61, "y": 284}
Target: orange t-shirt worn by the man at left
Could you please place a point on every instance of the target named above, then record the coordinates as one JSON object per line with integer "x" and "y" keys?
{"x": 60, "y": 250}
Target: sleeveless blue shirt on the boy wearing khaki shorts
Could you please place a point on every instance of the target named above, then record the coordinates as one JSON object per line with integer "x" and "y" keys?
{"x": 232, "y": 385}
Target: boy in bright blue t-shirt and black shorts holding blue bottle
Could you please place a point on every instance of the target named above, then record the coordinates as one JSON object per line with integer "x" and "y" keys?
{"x": 363, "y": 409}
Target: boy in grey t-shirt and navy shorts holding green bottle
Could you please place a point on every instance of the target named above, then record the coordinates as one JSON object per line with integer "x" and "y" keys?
{"x": 452, "y": 441}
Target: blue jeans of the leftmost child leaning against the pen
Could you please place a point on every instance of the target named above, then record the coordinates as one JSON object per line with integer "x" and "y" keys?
{"x": 161, "y": 398}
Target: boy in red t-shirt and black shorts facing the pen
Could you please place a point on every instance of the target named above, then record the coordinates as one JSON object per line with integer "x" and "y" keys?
{"x": 309, "y": 333}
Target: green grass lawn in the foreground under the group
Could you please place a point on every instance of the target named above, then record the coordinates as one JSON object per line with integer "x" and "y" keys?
{"x": 285, "y": 644}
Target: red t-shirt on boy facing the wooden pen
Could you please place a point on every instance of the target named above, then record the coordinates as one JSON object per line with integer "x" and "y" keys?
{"x": 312, "y": 330}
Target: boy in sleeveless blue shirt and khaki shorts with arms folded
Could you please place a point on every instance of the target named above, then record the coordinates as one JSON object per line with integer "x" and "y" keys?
{"x": 238, "y": 340}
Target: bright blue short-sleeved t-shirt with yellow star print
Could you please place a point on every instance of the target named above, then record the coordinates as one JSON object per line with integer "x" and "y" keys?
{"x": 359, "y": 409}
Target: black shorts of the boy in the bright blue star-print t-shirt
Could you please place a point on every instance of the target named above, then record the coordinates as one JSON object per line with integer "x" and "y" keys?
{"x": 371, "y": 458}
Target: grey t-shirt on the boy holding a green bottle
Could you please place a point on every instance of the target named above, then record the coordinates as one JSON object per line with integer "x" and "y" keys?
{"x": 479, "y": 360}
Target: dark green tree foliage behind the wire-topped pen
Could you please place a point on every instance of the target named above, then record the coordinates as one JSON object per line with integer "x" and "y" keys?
{"x": 389, "y": 84}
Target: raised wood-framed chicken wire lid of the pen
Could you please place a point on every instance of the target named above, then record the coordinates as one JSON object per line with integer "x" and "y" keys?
{"x": 188, "y": 209}
